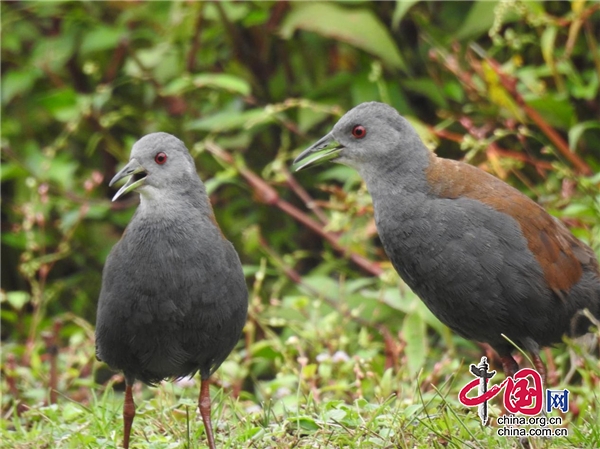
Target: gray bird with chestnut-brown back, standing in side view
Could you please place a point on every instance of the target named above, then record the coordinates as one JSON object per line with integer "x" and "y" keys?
{"x": 483, "y": 257}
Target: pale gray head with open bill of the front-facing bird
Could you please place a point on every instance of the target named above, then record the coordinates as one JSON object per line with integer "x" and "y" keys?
{"x": 159, "y": 162}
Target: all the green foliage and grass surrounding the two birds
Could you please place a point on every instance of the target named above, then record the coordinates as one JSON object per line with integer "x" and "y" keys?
{"x": 337, "y": 351}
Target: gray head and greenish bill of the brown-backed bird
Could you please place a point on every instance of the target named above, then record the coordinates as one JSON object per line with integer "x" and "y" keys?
{"x": 367, "y": 137}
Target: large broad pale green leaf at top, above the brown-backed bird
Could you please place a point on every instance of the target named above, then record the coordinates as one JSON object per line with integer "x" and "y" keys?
{"x": 357, "y": 27}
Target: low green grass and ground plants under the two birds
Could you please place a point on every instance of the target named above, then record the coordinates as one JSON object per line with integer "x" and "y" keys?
{"x": 293, "y": 392}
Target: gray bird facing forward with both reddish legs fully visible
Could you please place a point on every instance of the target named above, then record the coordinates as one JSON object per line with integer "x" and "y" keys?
{"x": 174, "y": 298}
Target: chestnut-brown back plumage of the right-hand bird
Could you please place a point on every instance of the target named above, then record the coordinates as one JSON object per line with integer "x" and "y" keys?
{"x": 560, "y": 255}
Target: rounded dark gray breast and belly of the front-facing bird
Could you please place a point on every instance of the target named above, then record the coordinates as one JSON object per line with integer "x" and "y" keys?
{"x": 173, "y": 298}
